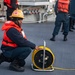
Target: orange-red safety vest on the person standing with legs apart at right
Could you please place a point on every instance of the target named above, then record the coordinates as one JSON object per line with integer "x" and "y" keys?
{"x": 63, "y": 5}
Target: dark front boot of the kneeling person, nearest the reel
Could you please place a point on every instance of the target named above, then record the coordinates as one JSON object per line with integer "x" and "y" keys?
{"x": 16, "y": 67}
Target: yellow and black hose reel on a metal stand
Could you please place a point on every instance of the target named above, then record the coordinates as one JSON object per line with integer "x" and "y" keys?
{"x": 42, "y": 59}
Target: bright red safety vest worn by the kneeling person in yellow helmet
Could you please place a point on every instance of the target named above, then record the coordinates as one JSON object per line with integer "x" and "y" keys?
{"x": 7, "y": 41}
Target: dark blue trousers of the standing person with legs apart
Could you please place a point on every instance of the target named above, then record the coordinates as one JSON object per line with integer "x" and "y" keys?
{"x": 61, "y": 18}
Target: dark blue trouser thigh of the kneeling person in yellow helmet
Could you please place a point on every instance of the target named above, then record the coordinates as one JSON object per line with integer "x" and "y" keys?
{"x": 18, "y": 53}
